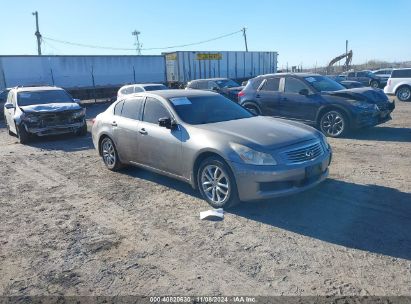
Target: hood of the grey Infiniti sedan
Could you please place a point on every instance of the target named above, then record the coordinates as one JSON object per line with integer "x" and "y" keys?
{"x": 261, "y": 132}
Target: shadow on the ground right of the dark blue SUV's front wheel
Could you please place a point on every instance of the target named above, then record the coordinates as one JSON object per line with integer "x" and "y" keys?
{"x": 382, "y": 134}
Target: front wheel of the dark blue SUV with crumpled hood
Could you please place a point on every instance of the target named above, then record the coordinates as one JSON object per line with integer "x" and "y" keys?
{"x": 333, "y": 123}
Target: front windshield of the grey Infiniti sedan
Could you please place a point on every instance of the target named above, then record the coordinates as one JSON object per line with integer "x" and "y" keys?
{"x": 208, "y": 109}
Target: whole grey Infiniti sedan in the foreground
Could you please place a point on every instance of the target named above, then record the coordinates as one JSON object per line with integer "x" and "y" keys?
{"x": 213, "y": 144}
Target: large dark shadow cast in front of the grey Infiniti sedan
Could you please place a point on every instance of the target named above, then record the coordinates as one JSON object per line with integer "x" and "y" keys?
{"x": 366, "y": 217}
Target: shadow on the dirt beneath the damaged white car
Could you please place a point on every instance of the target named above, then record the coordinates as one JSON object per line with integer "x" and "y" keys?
{"x": 64, "y": 142}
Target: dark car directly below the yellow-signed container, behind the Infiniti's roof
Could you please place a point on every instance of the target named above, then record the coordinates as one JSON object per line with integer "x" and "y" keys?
{"x": 225, "y": 86}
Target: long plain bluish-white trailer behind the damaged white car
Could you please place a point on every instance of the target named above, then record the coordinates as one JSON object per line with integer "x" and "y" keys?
{"x": 81, "y": 72}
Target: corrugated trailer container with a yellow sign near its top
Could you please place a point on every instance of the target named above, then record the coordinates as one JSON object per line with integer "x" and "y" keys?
{"x": 183, "y": 66}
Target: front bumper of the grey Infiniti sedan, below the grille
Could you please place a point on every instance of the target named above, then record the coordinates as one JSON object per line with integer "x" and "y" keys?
{"x": 263, "y": 182}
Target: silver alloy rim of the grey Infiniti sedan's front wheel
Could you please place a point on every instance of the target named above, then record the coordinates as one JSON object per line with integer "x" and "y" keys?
{"x": 215, "y": 184}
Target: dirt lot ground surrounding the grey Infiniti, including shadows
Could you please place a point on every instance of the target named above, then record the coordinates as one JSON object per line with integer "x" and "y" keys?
{"x": 69, "y": 226}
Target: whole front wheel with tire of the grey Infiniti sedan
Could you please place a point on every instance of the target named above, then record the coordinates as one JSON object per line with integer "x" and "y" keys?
{"x": 216, "y": 183}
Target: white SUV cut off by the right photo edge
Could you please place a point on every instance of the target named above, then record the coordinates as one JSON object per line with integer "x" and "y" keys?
{"x": 399, "y": 84}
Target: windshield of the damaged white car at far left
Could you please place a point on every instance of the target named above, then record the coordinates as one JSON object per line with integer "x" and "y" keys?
{"x": 42, "y": 97}
